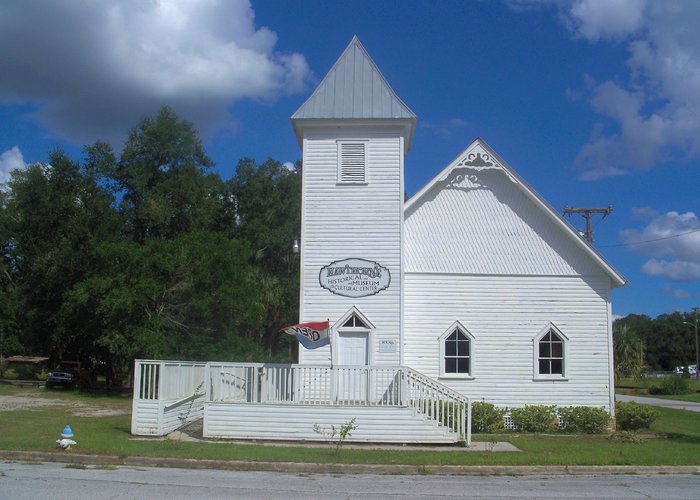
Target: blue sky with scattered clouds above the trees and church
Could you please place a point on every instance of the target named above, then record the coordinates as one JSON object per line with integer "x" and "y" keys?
{"x": 594, "y": 103}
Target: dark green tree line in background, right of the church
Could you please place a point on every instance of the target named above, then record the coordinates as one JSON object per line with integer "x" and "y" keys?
{"x": 643, "y": 344}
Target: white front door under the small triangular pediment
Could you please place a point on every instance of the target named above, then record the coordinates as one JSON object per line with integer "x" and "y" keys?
{"x": 352, "y": 352}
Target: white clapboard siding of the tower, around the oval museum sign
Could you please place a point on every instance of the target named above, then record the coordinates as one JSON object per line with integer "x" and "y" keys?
{"x": 342, "y": 221}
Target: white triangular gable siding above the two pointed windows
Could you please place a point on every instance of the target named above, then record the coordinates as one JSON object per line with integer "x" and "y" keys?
{"x": 485, "y": 223}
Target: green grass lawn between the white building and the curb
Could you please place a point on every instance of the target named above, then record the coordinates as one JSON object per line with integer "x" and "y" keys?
{"x": 674, "y": 440}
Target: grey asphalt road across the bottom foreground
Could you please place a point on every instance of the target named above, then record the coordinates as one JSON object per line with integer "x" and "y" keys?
{"x": 20, "y": 481}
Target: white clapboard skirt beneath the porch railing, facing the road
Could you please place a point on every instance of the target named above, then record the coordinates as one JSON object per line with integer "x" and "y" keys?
{"x": 296, "y": 422}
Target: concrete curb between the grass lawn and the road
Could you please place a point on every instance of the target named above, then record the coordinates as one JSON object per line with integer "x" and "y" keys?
{"x": 313, "y": 468}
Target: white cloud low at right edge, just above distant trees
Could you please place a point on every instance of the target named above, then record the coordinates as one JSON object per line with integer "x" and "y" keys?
{"x": 672, "y": 241}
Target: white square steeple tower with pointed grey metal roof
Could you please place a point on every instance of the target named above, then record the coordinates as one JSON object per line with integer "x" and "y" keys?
{"x": 354, "y": 131}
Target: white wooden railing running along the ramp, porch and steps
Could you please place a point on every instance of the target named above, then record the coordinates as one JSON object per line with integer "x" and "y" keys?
{"x": 166, "y": 393}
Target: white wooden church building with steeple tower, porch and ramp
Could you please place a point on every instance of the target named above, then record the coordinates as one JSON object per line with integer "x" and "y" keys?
{"x": 473, "y": 289}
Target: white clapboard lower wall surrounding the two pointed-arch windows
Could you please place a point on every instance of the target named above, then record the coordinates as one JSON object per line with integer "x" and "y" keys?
{"x": 504, "y": 314}
